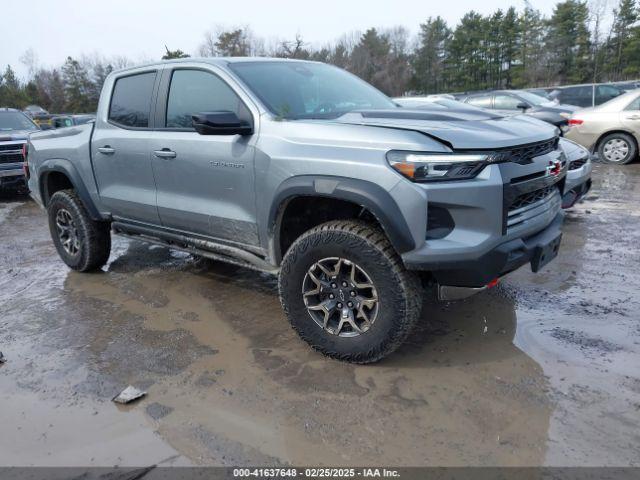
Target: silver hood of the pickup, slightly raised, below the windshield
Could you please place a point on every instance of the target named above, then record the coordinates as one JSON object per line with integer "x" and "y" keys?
{"x": 458, "y": 129}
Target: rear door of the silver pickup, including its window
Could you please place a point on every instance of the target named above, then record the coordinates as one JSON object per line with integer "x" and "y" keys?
{"x": 120, "y": 149}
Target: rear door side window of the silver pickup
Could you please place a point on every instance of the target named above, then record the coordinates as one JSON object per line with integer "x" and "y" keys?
{"x": 131, "y": 100}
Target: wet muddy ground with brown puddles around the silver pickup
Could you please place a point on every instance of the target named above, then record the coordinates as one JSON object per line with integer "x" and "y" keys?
{"x": 542, "y": 370}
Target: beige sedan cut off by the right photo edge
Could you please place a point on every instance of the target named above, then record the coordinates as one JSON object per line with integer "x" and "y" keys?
{"x": 612, "y": 130}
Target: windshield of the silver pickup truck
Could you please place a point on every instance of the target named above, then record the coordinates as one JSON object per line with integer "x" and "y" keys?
{"x": 295, "y": 90}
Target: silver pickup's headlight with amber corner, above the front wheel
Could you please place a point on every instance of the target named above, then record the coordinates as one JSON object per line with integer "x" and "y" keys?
{"x": 426, "y": 167}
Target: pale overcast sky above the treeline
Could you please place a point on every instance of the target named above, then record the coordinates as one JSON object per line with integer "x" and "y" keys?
{"x": 139, "y": 29}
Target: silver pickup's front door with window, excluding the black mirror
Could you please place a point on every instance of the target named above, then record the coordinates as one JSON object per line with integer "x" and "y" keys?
{"x": 205, "y": 183}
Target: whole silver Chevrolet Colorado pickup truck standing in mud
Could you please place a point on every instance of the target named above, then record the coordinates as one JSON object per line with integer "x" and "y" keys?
{"x": 303, "y": 170}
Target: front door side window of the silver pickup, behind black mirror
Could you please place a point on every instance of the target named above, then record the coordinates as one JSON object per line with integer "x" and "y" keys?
{"x": 194, "y": 91}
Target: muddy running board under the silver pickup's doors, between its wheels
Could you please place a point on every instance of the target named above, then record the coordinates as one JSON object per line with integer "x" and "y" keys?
{"x": 196, "y": 246}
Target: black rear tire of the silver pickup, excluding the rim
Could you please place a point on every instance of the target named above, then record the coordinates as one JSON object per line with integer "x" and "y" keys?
{"x": 94, "y": 238}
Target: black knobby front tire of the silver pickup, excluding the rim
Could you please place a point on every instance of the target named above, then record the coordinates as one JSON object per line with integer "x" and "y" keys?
{"x": 399, "y": 291}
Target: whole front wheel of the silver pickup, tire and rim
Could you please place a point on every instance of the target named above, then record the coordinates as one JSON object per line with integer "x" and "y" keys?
{"x": 346, "y": 292}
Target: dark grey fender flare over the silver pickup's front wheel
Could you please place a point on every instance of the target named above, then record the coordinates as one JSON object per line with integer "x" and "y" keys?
{"x": 361, "y": 192}
